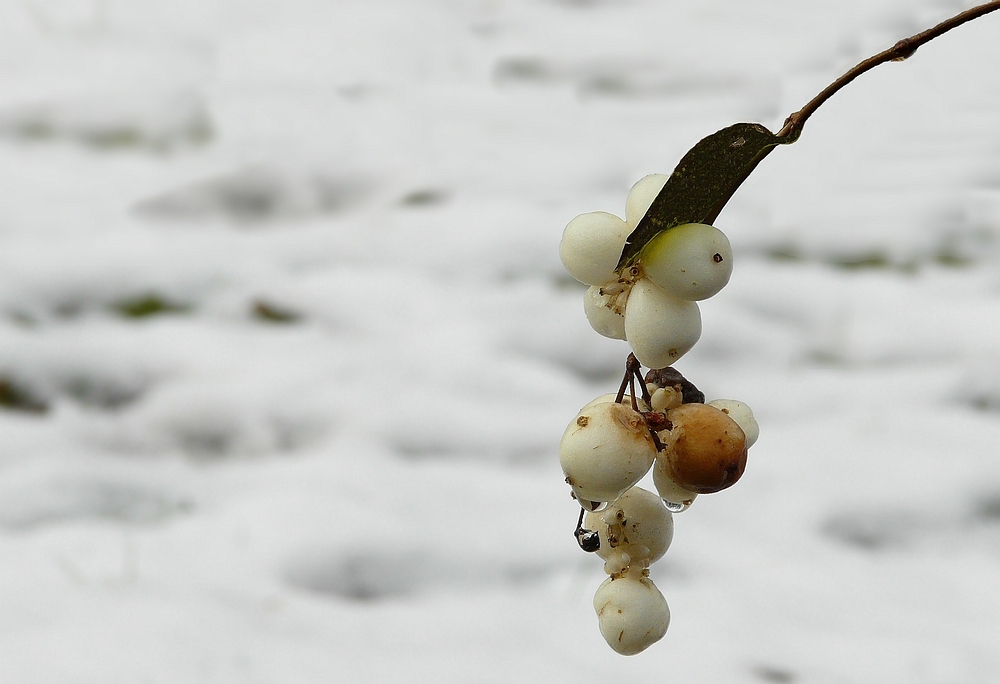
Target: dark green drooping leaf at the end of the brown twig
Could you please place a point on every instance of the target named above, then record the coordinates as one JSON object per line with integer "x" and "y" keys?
{"x": 703, "y": 182}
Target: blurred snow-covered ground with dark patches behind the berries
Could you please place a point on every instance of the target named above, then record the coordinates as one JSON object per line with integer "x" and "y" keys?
{"x": 286, "y": 349}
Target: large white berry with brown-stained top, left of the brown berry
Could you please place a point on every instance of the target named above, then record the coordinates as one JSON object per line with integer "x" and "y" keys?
{"x": 605, "y": 450}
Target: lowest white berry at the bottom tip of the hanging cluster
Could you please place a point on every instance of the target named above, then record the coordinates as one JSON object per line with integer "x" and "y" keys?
{"x": 632, "y": 613}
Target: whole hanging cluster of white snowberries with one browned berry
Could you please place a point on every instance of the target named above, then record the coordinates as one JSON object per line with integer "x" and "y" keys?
{"x": 691, "y": 447}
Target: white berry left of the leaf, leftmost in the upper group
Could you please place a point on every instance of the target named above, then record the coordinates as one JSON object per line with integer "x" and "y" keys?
{"x": 591, "y": 245}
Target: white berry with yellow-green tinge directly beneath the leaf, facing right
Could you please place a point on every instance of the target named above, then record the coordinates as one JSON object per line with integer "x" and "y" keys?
{"x": 691, "y": 261}
